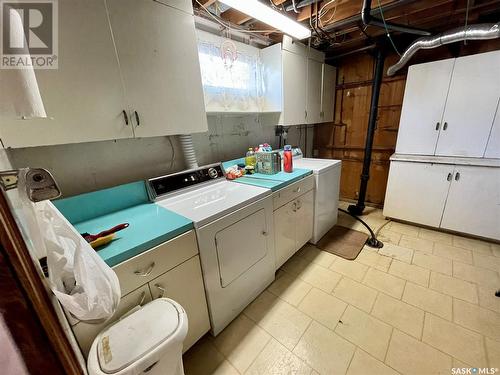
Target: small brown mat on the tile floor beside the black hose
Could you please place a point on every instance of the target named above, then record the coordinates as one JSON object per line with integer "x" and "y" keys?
{"x": 344, "y": 242}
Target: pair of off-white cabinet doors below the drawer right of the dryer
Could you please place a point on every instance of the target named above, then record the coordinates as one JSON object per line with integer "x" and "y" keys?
{"x": 293, "y": 225}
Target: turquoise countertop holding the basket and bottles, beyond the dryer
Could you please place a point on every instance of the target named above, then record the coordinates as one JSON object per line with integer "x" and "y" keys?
{"x": 271, "y": 181}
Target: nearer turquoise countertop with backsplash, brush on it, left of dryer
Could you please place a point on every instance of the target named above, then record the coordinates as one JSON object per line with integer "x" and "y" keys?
{"x": 150, "y": 224}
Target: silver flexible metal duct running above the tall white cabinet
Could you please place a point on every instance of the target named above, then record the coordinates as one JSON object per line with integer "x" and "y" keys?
{"x": 472, "y": 32}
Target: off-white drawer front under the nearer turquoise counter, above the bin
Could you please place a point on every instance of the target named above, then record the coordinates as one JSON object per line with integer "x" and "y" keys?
{"x": 146, "y": 266}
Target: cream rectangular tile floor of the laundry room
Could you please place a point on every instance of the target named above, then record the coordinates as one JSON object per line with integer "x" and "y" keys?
{"x": 422, "y": 305}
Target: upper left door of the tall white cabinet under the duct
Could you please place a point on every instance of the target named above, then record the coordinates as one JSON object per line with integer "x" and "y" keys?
{"x": 423, "y": 106}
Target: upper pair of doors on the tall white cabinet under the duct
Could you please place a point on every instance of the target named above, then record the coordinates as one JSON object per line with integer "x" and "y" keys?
{"x": 449, "y": 106}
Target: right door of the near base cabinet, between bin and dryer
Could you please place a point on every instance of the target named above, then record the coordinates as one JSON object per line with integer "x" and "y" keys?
{"x": 184, "y": 284}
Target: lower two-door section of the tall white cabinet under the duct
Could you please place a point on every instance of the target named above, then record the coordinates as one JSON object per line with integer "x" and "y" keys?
{"x": 461, "y": 198}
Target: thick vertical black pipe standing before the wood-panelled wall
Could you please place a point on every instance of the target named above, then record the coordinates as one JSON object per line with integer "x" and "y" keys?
{"x": 372, "y": 123}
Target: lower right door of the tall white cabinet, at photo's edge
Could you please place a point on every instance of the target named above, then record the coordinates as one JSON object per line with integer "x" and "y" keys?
{"x": 473, "y": 204}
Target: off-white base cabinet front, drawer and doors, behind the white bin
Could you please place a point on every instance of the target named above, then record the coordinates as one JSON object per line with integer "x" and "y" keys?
{"x": 170, "y": 270}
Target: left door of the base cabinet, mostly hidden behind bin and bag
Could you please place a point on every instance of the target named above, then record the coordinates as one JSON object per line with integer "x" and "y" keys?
{"x": 85, "y": 333}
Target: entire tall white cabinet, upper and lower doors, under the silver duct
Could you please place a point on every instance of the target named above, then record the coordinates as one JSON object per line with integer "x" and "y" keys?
{"x": 446, "y": 169}
